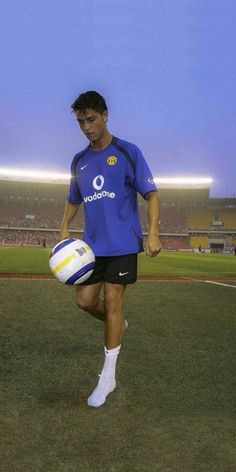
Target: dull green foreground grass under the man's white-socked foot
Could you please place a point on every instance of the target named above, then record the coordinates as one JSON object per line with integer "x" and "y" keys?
{"x": 174, "y": 407}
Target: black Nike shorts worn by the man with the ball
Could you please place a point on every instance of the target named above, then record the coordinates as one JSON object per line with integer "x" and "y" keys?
{"x": 114, "y": 269}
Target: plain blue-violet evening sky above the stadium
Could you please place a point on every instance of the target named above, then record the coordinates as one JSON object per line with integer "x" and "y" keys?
{"x": 167, "y": 69}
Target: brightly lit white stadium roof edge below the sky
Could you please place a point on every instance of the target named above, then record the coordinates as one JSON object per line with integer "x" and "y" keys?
{"x": 63, "y": 178}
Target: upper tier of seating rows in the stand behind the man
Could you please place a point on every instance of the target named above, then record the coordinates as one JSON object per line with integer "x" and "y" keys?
{"x": 48, "y": 216}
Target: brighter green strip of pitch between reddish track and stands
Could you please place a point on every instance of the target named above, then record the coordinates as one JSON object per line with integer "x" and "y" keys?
{"x": 35, "y": 260}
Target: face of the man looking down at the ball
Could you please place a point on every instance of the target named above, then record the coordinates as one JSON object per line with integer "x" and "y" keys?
{"x": 92, "y": 123}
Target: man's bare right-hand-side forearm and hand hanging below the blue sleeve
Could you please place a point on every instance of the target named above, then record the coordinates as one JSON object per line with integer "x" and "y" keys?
{"x": 153, "y": 244}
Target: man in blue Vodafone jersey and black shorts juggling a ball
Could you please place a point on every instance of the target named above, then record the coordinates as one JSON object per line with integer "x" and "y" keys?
{"x": 106, "y": 177}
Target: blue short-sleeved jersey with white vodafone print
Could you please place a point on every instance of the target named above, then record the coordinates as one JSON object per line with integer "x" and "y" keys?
{"x": 107, "y": 182}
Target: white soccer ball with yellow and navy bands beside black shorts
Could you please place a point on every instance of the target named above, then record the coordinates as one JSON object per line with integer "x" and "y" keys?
{"x": 72, "y": 261}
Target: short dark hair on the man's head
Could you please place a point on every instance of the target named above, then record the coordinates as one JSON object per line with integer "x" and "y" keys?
{"x": 90, "y": 99}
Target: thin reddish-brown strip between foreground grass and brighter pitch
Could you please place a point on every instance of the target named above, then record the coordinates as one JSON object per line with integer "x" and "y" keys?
{"x": 169, "y": 278}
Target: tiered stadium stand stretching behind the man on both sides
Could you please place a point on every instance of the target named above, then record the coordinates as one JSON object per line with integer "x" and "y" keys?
{"x": 189, "y": 219}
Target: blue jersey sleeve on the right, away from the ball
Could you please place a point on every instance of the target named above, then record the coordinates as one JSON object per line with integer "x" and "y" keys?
{"x": 143, "y": 177}
